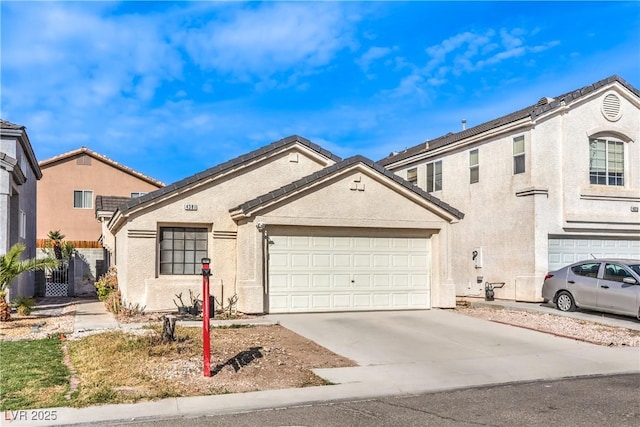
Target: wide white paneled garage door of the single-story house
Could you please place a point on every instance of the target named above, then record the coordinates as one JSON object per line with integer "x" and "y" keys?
{"x": 323, "y": 273}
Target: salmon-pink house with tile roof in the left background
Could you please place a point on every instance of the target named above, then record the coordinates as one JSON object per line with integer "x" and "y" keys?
{"x": 67, "y": 196}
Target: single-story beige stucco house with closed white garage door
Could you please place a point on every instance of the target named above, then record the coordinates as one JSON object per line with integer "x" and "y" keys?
{"x": 289, "y": 227}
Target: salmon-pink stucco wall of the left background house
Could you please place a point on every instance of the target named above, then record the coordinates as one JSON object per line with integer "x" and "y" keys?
{"x": 55, "y": 195}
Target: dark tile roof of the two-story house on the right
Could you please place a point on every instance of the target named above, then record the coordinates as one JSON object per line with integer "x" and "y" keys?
{"x": 542, "y": 106}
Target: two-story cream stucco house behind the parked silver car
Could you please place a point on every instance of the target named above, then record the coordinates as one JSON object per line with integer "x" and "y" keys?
{"x": 542, "y": 187}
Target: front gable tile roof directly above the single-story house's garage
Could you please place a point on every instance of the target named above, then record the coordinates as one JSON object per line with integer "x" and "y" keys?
{"x": 344, "y": 164}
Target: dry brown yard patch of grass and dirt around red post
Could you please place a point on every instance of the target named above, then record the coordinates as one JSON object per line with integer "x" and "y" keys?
{"x": 116, "y": 367}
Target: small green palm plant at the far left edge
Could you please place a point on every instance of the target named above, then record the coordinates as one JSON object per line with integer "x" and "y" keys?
{"x": 11, "y": 266}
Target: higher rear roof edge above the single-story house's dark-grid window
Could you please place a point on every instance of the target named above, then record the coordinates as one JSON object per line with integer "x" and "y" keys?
{"x": 226, "y": 166}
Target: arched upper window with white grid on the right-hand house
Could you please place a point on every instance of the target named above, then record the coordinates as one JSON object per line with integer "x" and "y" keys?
{"x": 606, "y": 162}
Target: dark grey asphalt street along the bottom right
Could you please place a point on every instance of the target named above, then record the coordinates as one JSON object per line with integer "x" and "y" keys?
{"x": 591, "y": 401}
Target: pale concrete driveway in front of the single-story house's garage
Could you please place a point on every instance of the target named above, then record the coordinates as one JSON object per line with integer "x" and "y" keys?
{"x": 417, "y": 351}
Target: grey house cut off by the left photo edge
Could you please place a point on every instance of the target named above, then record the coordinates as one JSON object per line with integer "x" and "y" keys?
{"x": 19, "y": 172}
